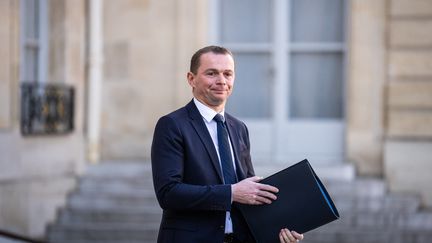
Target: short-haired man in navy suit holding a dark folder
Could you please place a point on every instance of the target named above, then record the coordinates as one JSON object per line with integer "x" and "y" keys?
{"x": 201, "y": 161}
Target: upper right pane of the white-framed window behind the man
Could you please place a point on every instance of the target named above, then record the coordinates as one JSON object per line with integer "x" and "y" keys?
{"x": 317, "y": 21}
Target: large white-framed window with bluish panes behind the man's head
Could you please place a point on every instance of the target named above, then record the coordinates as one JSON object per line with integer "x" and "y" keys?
{"x": 290, "y": 56}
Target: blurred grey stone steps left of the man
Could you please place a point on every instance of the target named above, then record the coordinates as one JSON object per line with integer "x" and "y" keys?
{"x": 114, "y": 202}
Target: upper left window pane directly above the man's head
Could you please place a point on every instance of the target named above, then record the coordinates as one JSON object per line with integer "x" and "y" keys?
{"x": 245, "y": 21}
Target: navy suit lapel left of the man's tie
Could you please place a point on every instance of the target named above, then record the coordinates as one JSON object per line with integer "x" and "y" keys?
{"x": 201, "y": 129}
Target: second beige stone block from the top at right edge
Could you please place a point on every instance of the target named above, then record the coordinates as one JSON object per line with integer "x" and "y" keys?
{"x": 411, "y": 33}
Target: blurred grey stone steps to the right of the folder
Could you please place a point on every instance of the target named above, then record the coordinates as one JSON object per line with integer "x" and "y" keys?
{"x": 369, "y": 214}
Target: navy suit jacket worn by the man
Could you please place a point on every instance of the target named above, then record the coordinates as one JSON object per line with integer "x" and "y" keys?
{"x": 188, "y": 180}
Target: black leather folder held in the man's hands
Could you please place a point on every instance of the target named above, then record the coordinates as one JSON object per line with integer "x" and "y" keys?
{"x": 303, "y": 204}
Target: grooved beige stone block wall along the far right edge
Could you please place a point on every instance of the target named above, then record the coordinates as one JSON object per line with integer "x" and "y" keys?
{"x": 408, "y": 103}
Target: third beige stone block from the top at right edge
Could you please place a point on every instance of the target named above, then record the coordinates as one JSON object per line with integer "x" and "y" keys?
{"x": 406, "y": 63}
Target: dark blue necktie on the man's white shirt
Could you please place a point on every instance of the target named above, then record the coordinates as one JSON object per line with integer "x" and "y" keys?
{"x": 225, "y": 151}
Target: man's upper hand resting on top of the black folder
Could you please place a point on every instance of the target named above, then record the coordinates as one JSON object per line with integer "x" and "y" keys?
{"x": 249, "y": 191}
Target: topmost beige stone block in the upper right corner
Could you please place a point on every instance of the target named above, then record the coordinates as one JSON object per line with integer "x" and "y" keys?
{"x": 410, "y": 8}
